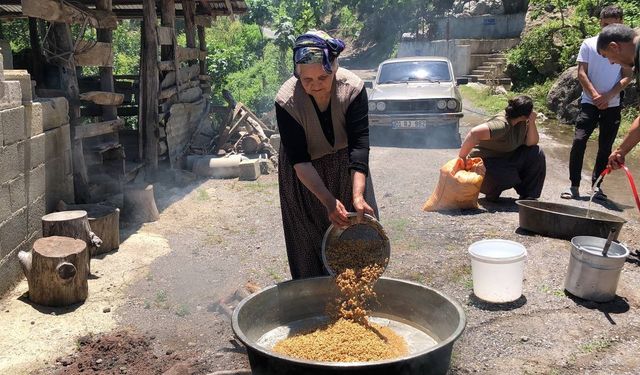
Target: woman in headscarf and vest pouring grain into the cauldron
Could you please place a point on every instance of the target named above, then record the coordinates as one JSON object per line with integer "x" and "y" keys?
{"x": 322, "y": 115}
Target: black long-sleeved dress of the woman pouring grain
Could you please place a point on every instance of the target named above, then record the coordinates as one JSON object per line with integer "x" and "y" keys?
{"x": 304, "y": 217}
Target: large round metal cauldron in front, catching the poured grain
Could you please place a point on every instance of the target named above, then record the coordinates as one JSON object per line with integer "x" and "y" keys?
{"x": 429, "y": 321}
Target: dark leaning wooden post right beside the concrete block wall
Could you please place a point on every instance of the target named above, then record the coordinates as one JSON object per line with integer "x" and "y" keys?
{"x": 69, "y": 84}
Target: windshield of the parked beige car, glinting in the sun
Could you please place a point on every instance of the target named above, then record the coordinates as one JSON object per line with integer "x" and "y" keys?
{"x": 405, "y": 71}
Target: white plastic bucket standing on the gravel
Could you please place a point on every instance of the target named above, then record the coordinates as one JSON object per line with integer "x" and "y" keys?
{"x": 497, "y": 267}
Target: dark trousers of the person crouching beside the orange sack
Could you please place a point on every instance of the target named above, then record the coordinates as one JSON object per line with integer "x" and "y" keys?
{"x": 524, "y": 170}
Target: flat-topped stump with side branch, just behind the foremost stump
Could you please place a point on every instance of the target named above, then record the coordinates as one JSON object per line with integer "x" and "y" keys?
{"x": 74, "y": 224}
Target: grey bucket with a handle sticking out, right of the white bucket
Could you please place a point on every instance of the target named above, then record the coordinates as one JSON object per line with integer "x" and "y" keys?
{"x": 591, "y": 275}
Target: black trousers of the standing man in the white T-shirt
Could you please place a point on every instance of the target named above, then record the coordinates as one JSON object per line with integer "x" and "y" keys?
{"x": 589, "y": 118}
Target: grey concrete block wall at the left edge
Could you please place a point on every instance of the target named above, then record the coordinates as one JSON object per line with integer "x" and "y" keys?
{"x": 35, "y": 166}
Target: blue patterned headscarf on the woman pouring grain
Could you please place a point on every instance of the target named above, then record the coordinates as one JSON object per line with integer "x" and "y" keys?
{"x": 316, "y": 47}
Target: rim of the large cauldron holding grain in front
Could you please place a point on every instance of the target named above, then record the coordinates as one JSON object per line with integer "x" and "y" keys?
{"x": 447, "y": 341}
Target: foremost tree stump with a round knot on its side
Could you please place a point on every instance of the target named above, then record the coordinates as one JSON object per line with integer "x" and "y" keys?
{"x": 57, "y": 270}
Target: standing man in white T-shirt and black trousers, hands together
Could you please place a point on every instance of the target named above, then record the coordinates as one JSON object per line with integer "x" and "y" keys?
{"x": 601, "y": 84}
